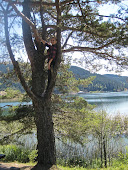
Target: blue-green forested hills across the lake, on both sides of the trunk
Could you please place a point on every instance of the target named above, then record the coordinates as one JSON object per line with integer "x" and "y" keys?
{"x": 107, "y": 82}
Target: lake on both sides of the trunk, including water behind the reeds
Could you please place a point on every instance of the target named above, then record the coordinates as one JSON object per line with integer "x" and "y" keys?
{"x": 112, "y": 102}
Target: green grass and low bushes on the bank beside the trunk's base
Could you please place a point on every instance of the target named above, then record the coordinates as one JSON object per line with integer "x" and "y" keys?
{"x": 18, "y": 155}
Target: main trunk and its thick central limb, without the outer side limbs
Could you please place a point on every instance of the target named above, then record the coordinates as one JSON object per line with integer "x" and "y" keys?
{"x": 43, "y": 116}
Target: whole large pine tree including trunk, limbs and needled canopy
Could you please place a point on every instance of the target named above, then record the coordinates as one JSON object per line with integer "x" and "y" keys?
{"x": 78, "y": 26}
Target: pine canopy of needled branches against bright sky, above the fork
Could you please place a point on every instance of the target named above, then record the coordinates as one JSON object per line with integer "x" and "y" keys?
{"x": 83, "y": 29}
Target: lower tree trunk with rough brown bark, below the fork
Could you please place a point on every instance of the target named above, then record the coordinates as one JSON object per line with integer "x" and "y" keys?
{"x": 45, "y": 135}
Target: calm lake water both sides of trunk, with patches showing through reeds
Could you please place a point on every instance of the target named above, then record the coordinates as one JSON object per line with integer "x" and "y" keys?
{"x": 113, "y": 103}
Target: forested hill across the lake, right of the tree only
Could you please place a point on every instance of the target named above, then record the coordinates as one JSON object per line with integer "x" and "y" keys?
{"x": 106, "y": 82}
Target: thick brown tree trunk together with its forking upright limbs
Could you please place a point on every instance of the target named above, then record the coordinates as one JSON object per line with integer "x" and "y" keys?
{"x": 41, "y": 105}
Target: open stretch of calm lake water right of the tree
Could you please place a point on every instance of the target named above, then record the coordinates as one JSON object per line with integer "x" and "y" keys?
{"x": 112, "y": 102}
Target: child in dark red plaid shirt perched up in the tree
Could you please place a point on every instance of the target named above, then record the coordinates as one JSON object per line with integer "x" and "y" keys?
{"x": 52, "y": 53}
